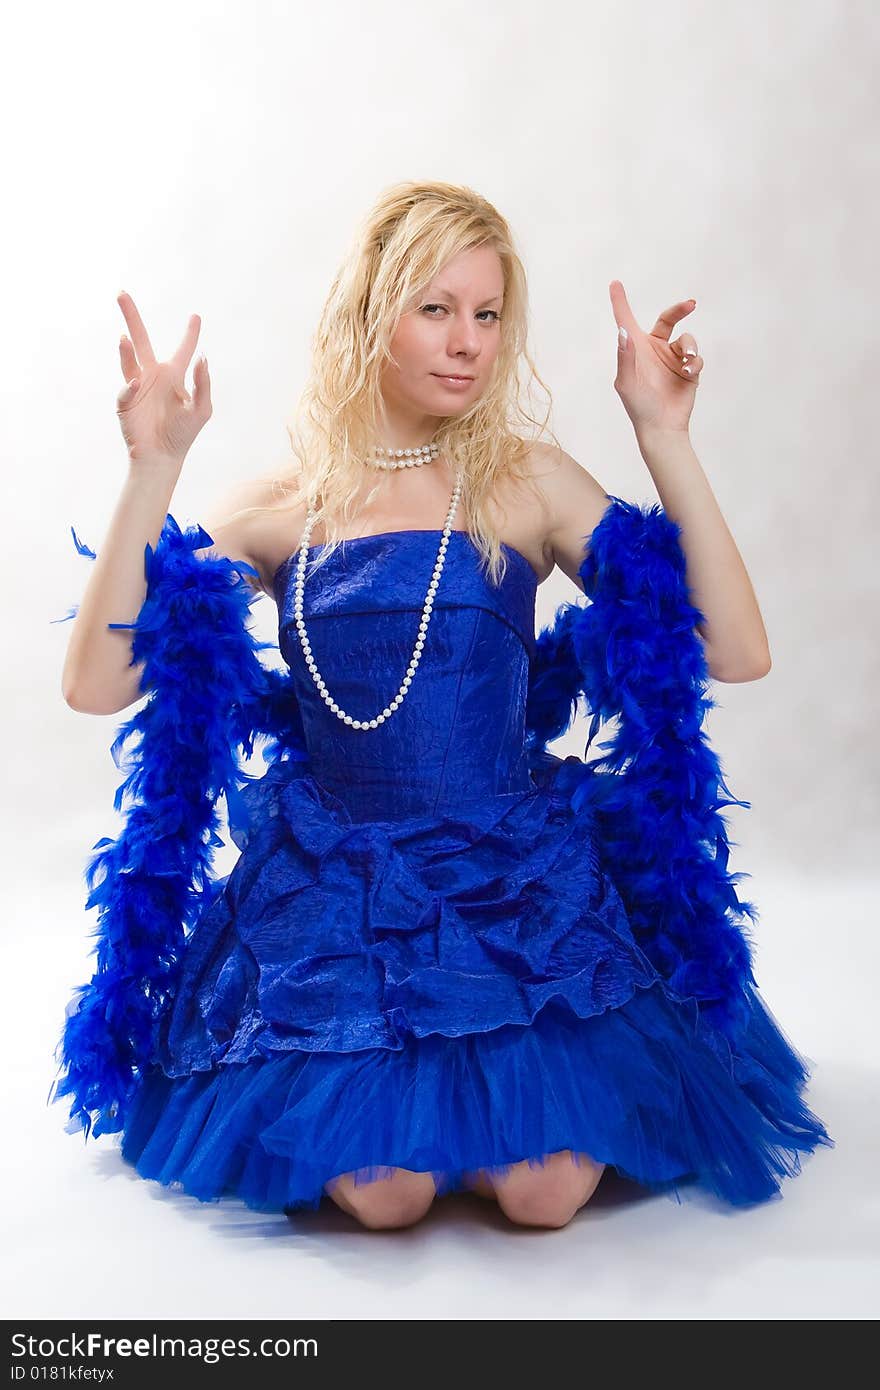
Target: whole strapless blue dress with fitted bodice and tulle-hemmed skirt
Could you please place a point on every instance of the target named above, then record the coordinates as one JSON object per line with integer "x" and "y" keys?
{"x": 421, "y": 958}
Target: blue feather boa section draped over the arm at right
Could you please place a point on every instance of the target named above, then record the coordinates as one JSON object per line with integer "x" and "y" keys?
{"x": 635, "y": 655}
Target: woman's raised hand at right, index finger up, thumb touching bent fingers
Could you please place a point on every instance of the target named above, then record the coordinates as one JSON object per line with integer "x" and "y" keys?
{"x": 657, "y": 379}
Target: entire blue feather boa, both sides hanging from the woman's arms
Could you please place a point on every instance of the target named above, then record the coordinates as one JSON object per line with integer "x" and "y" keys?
{"x": 632, "y": 654}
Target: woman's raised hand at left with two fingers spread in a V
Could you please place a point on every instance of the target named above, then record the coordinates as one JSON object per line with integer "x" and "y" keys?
{"x": 158, "y": 416}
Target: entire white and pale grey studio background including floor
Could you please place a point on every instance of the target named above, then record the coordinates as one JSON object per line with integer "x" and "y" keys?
{"x": 213, "y": 159}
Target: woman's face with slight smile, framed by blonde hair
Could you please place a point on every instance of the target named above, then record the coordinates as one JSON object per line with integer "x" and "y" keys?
{"x": 453, "y": 332}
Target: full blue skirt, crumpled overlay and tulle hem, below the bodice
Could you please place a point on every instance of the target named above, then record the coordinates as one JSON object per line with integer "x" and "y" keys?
{"x": 469, "y": 989}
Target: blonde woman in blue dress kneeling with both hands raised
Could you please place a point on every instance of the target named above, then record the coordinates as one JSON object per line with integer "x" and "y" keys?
{"x": 436, "y": 965}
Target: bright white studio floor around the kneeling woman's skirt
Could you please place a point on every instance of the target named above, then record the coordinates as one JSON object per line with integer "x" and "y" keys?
{"x": 85, "y": 1238}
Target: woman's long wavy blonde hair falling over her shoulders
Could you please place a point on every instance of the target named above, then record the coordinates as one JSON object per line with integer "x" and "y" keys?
{"x": 400, "y": 247}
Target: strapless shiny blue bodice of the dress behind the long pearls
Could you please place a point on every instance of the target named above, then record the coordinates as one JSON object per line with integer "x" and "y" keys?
{"x": 459, "y": 733}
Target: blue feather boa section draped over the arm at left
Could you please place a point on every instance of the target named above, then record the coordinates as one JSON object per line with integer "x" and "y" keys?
{"x": 184, "y": 747}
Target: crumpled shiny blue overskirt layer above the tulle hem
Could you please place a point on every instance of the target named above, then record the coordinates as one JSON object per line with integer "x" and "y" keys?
{"x": 337, "y": 935}
